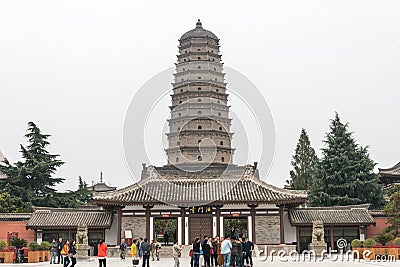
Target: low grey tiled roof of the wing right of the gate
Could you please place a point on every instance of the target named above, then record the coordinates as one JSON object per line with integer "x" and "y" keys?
{"x": 350, "y": 215}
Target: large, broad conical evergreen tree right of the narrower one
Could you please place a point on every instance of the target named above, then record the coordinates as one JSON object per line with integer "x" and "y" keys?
{"x": 344, "y": 175}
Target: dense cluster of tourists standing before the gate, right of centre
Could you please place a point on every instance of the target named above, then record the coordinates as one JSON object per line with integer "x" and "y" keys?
{"x": 224, "y": 252}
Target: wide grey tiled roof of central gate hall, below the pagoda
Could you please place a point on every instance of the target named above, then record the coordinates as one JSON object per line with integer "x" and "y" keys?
{"x": 173, "y": 186}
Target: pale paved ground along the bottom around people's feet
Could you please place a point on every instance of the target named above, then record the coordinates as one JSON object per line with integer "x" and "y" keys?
{"x": 185, "y": 262}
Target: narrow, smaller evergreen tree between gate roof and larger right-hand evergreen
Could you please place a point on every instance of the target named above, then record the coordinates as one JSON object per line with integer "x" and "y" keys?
{"x": 303, "y": 163}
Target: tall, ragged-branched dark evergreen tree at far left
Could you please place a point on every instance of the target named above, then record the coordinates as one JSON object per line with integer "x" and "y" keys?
{"x": 32, "y": 178}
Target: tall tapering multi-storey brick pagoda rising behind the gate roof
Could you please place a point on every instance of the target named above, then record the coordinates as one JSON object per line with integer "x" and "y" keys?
{"x": 199, "y": 124}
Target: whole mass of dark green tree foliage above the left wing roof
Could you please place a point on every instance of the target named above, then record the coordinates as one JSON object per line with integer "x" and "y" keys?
{"x": 31, "y": 181}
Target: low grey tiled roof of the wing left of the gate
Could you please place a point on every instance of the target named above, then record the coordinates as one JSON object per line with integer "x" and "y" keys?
{"x": 67, "y": 218}
